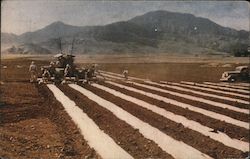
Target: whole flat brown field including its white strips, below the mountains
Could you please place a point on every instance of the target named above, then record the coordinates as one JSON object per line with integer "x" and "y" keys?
{"x": 140, "y": 117}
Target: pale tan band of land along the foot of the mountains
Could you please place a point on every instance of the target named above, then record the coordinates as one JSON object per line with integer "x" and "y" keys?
{"x": 141, "y": 58}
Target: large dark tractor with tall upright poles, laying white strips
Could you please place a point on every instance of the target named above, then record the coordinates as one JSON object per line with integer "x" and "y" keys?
{"x": 63, "y": 70}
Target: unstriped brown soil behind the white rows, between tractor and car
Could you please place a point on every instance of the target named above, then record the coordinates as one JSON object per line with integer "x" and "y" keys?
{"x": 196, "y": 72}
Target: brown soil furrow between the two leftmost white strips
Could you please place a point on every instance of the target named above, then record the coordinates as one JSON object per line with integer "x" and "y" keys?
{"x": 128, "y": 138}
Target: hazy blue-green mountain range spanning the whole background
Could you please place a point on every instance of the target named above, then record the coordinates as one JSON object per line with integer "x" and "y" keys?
{"x": 154, "y": 32}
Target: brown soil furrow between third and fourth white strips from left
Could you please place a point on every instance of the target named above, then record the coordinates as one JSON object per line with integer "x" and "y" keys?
{"x": 231, "y": 130}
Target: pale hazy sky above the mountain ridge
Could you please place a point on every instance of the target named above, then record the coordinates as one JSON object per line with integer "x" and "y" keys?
{"x": 20, "y": 16}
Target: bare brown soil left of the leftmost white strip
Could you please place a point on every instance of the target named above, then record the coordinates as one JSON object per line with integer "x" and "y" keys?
{"x": 32, "y": 123}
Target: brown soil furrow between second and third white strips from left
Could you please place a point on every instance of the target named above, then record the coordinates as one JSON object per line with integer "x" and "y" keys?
{"x": 178, "y": 131}
